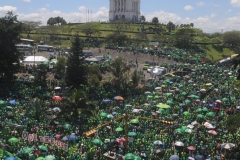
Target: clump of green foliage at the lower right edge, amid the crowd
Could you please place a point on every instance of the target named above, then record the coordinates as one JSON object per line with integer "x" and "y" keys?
{"x": 232, "y": 122}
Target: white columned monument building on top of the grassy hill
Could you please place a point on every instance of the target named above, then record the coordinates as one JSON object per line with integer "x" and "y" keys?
{"x": 124, "y": 9}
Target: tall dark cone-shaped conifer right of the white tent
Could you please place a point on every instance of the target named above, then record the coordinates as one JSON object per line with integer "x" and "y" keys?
{"x": 76, "y": 68}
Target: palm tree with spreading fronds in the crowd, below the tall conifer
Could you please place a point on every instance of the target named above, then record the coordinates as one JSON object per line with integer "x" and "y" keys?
{"x": 78, "y": 103}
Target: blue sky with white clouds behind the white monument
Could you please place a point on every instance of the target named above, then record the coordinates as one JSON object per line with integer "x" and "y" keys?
{"x": 209, "y": 15}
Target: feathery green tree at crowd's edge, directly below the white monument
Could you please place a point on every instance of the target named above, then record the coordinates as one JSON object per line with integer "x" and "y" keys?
{"x": 120, "y": 71}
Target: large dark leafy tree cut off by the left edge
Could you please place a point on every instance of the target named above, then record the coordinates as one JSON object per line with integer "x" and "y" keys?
{"x": 10, "y": 33}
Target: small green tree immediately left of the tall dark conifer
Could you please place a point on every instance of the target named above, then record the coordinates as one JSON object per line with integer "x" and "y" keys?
{"x": 60, "y": 67}
